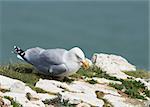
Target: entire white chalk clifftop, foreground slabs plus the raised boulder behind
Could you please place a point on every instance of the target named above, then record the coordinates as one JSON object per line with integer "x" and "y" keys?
{"x": 94, "y": 89}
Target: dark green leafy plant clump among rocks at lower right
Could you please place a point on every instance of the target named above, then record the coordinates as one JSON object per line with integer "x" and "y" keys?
{"x": 133, "y": 88}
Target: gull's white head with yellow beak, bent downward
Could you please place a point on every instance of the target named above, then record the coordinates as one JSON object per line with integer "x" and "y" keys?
{"x": 80, "y": 57}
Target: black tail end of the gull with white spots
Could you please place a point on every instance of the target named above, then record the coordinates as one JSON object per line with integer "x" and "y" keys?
{"x": 20, "y": 53}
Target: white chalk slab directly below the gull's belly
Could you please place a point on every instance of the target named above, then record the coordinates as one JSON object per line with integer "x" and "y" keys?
{"x": 47, "y": 85}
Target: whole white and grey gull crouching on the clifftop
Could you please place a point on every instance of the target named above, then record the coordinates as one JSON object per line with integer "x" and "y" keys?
{"x": 55, "y": 62}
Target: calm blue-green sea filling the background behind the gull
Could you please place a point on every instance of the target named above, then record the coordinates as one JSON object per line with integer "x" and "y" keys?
{"x": 96, "y": 26}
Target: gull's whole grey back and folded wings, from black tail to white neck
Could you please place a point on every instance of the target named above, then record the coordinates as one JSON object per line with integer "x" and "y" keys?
{"x": 49, "y": 61}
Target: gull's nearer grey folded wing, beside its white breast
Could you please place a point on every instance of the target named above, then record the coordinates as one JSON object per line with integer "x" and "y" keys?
{"x": 52, "y": 61}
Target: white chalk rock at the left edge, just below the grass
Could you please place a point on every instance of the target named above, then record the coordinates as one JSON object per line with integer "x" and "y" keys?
{"x": 7, "y": 83}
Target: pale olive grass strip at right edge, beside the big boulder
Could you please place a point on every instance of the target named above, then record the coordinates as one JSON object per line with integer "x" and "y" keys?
{"x": 139, "y": 74}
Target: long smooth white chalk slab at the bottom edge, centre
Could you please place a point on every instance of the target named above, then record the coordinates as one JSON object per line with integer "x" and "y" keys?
{"x": 76, "y": 98}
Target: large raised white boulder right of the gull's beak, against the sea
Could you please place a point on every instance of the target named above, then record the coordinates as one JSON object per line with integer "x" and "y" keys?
{"x": 113, "y": 64}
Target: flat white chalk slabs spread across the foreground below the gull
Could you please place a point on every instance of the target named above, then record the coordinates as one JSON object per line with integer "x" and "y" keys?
{"x": 80, "y": 93}
